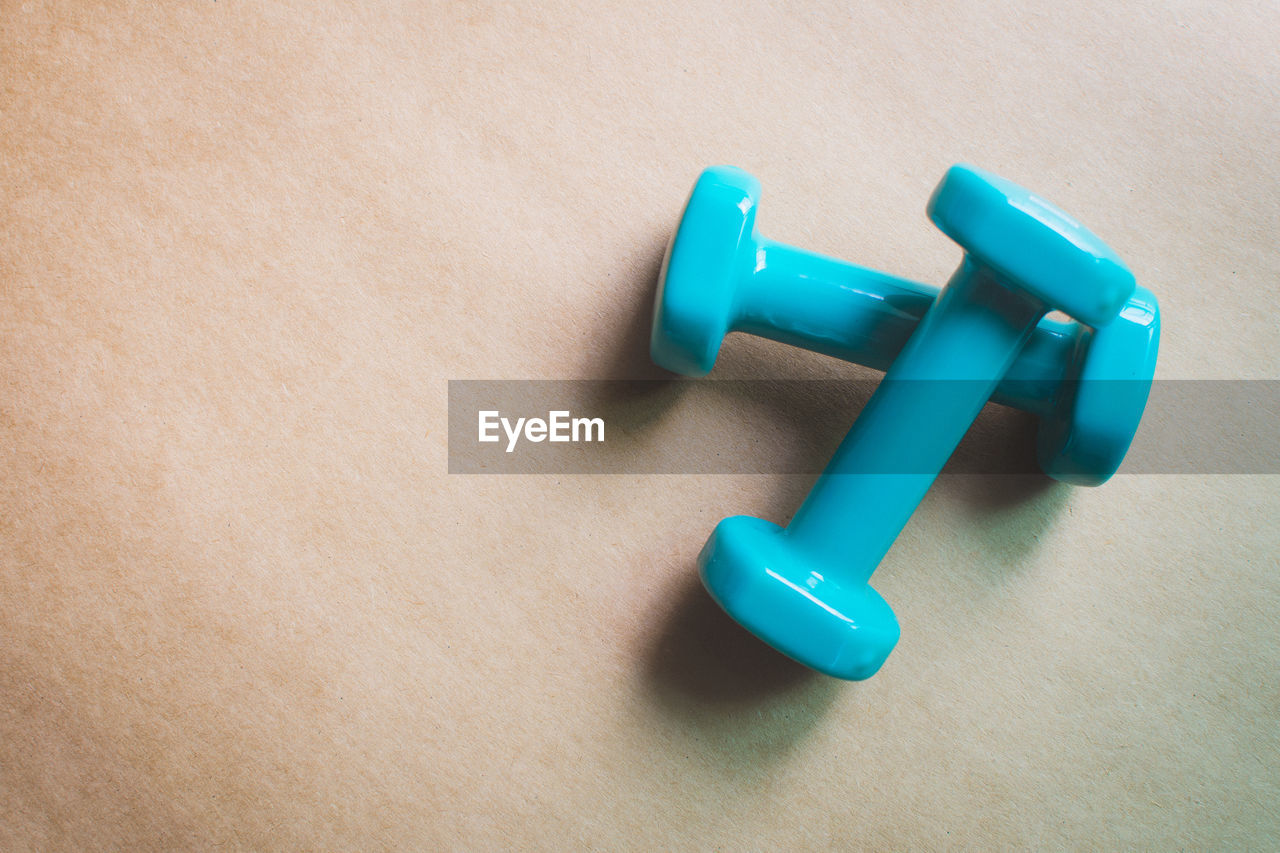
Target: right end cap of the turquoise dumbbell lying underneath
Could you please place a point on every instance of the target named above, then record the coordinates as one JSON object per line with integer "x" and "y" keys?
{"x": 1101, "y": 403}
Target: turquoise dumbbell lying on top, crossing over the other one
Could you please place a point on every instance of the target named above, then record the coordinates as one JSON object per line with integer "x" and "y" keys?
{"x": 804, "y": 590}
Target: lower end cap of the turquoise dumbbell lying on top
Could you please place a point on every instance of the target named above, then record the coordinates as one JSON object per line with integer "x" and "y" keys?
{"x": 756, "y": 574}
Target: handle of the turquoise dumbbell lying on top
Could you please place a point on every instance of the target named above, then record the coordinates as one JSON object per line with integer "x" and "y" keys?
{"x": 916, "y": 419}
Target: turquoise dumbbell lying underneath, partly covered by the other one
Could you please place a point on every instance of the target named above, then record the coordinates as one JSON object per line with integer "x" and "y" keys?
{"x": 1087, "y": 386}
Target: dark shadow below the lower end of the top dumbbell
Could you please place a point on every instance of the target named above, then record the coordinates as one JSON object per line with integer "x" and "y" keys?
{"x": 712, "y": 673}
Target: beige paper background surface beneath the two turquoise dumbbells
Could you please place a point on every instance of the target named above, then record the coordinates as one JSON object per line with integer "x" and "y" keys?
{"x": 244, "y": 605}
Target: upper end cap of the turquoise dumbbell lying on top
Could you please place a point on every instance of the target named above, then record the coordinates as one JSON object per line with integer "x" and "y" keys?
{"x": 1032, "y": 244}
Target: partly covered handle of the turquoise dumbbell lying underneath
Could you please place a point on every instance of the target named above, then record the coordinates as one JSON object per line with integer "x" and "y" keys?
{"x": 866, "y": 317}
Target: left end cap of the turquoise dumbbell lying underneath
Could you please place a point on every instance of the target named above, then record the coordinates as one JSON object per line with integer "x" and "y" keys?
{"x": 694, "y": 305}
